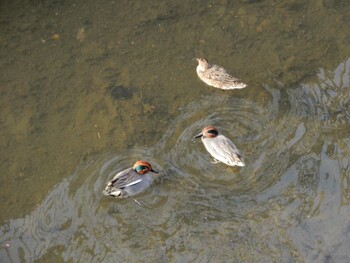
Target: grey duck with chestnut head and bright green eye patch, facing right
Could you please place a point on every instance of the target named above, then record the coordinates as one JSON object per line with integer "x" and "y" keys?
{"x": 131, "y": 181}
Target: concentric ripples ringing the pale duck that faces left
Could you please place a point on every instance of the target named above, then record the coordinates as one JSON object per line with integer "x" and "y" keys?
{"x": 245, "y": 122}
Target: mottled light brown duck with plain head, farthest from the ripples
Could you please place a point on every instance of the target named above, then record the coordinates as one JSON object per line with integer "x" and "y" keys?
{"x": 216, "y": 76}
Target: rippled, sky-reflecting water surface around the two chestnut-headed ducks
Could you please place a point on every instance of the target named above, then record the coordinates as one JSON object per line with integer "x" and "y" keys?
{"x": 290, "y": 202}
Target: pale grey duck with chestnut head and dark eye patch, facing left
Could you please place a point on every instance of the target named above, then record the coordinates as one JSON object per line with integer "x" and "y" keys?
{"x": 220, "y": 147}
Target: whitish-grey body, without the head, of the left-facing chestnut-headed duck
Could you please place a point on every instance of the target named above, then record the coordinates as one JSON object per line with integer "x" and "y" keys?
{"x": 223, "y": 149}
